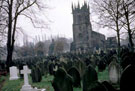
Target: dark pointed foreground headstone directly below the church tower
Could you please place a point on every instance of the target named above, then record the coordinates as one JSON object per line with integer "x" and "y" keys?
{"x": 90, "y": 76}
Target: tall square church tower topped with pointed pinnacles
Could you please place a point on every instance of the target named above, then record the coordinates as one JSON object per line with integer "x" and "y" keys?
{"x": 81, "y": 27}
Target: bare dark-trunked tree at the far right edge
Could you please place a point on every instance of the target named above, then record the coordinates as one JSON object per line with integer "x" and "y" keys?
{"x": 128, "y": 12}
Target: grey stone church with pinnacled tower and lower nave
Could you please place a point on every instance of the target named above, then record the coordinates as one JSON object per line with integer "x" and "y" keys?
{"x": 84, "y": 38}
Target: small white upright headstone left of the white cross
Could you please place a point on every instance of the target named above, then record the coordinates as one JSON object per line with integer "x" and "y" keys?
{"x": 13, "y": 73}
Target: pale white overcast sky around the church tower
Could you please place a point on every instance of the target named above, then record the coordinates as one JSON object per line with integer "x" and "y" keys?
{"x": 60, "y": 15}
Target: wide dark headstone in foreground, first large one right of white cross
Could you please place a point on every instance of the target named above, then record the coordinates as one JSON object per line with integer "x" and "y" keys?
{"x": 62, "y": 81}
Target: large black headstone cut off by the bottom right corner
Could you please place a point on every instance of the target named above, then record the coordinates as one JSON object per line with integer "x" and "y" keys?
{"x": 127, "y": 81}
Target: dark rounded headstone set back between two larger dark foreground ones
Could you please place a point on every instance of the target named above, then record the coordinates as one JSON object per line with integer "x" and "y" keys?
{"x": 74, "y": 73}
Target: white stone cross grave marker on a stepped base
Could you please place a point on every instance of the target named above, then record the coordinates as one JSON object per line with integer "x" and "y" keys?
{"x": 26, "y": 86}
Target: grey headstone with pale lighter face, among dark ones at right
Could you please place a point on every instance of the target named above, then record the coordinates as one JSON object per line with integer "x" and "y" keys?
{"x": 114, "y": 72}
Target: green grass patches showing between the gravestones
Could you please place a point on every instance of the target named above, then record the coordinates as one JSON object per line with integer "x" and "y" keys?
{"x": 16, "y": 85}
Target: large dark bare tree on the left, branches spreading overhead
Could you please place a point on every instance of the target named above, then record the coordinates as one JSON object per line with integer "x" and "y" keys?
{"x": 12, "y": 9}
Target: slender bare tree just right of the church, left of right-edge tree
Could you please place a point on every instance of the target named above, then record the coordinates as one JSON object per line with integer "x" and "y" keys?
{"x": 110, "y": 16}
